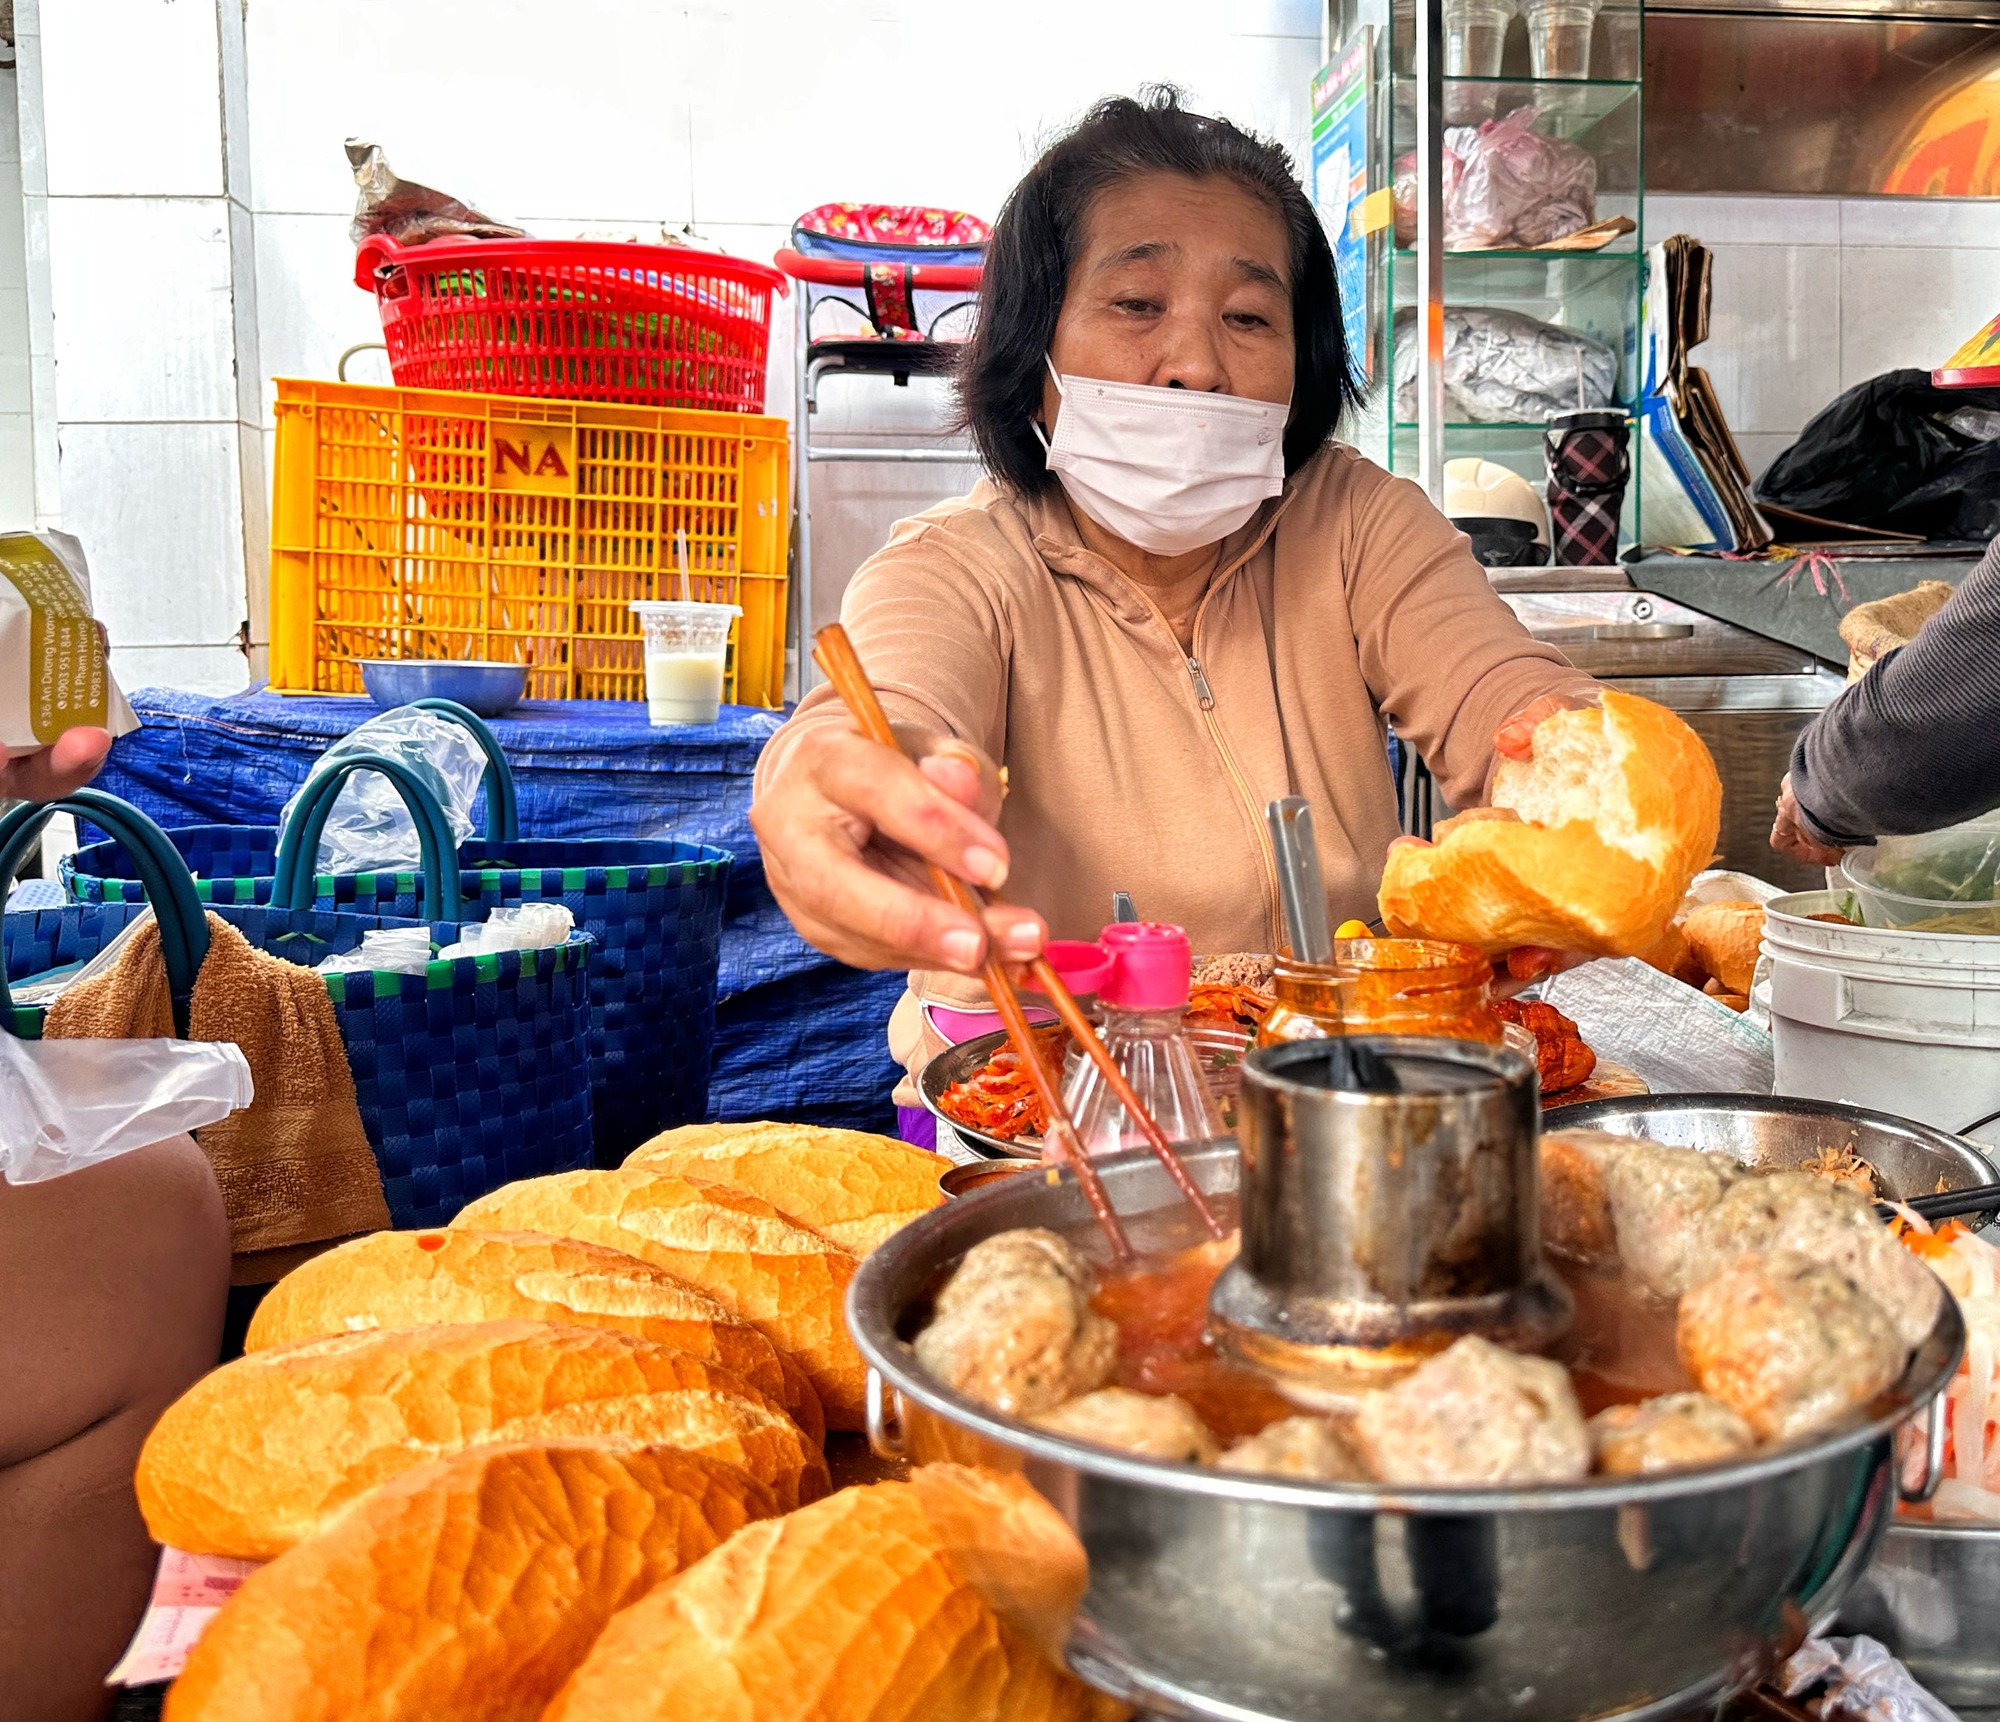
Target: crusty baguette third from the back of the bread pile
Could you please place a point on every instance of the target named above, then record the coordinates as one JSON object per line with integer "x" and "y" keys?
{"x": 421, "y": 1279}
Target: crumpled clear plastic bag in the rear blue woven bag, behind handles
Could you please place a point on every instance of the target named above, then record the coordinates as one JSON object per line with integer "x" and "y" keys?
{"x": 371, "y": 829}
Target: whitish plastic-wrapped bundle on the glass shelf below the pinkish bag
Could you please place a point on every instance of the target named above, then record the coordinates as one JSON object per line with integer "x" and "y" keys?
{"x": 1503, "y": 367}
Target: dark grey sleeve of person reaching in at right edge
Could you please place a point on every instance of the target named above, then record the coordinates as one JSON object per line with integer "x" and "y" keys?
{"x": 1915, "y": 745}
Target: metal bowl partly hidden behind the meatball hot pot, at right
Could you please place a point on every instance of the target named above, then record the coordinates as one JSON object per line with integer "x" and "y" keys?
{"x": 1777, "y": 1133}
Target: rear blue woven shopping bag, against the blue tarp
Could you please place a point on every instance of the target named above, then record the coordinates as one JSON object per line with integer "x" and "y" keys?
{"x": 653, "y": 909}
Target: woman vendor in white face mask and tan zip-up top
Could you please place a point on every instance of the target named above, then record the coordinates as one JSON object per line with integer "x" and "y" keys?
{"x": 1171, "y": 601}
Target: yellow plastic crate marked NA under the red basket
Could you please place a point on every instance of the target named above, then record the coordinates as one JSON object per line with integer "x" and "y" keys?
{"x": 415, "y": 523}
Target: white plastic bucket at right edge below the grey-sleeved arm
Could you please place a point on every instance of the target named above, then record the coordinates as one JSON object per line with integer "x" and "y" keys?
{"x": 1905, "y": 1023}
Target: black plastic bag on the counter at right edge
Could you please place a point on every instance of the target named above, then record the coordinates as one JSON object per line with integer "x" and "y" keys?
{"x": 1873, "y": 449}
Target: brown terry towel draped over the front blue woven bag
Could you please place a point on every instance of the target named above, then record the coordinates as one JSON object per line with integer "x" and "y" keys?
{"x": 295, "y": 1167}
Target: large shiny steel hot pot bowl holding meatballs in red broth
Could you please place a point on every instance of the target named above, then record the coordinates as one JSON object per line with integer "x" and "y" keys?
{"x": 1217, "y": 1595}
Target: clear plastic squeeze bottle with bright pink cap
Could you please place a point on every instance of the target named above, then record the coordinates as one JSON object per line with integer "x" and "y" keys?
{"x": 1145, "y": 999}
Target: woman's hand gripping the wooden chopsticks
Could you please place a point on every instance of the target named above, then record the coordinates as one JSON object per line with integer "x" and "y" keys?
{"x": 849, "y": 829}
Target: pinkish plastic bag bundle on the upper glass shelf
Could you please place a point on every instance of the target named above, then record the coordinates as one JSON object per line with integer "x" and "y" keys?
{"x": 1505, "y": 185}
